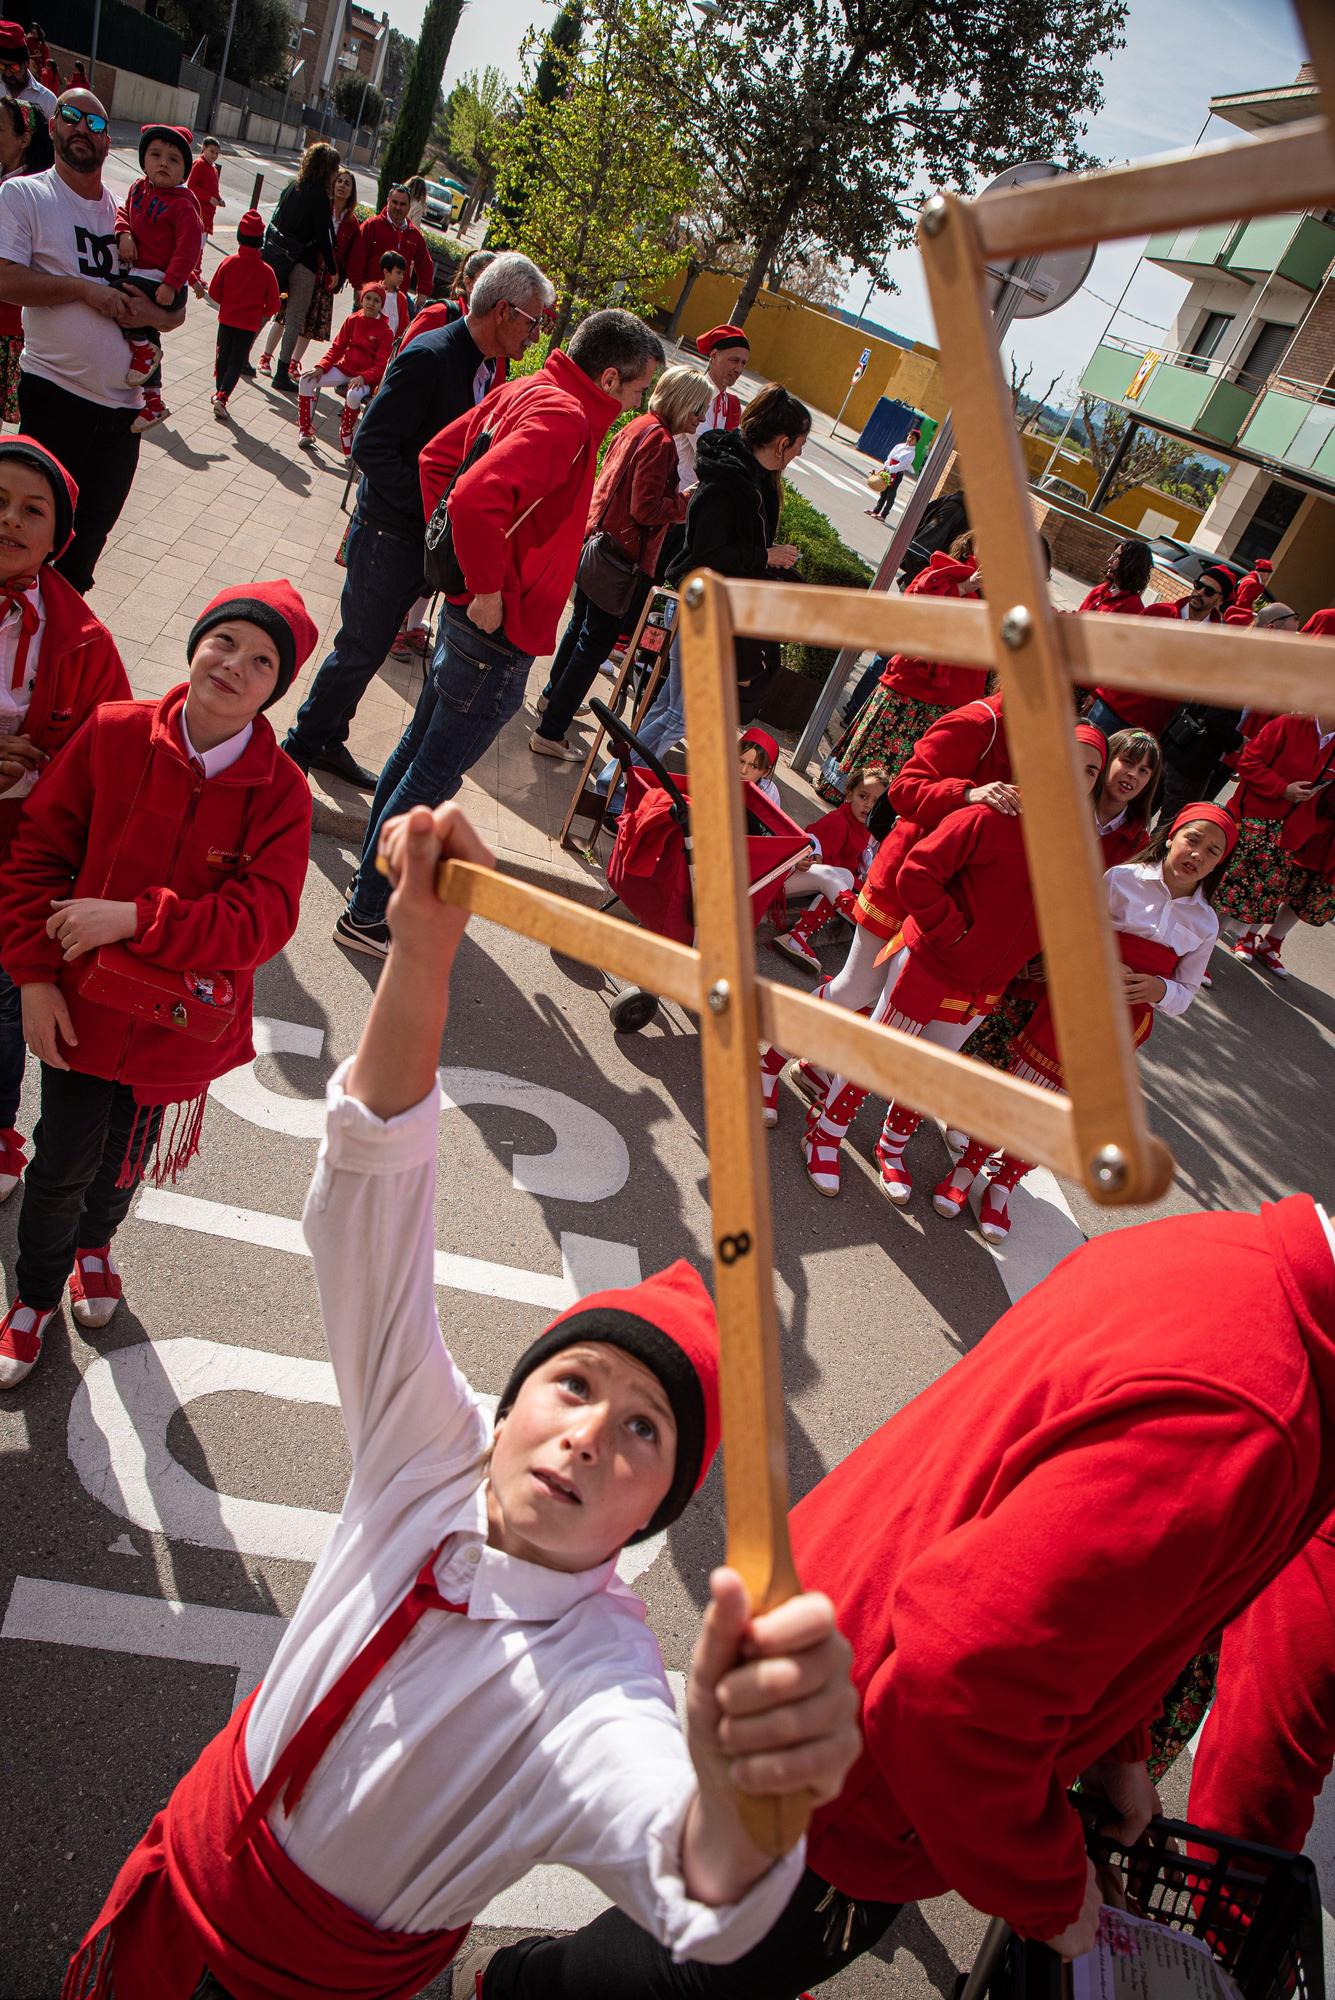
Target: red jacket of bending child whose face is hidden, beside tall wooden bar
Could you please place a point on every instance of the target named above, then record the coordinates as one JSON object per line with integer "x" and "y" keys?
{"x": 970, "y": 903}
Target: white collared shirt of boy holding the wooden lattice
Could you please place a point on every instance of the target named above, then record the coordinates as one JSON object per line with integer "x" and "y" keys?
{"x": 537, "y": 1727}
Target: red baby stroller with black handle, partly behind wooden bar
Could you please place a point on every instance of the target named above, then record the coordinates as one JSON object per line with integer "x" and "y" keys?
{"x": 651, "y": 867}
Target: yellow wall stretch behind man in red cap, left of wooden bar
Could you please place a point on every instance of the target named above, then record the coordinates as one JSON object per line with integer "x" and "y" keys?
{"x": 814, "y": 355}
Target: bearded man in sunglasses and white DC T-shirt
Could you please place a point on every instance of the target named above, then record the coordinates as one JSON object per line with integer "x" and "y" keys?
{"x": 57, "y": 261}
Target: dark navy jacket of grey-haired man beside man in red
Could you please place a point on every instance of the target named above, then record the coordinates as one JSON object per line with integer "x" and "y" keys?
{"x": 427, "y": 387}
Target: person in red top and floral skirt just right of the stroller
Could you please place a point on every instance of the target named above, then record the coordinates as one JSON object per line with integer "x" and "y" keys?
{"x": 912, "y": 693}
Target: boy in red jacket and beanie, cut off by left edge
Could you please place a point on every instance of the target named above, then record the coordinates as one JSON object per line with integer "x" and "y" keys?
{"x": 57, "y": 665}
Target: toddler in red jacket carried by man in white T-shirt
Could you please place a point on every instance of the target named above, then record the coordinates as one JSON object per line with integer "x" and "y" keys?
{"x": 161, "y": 241}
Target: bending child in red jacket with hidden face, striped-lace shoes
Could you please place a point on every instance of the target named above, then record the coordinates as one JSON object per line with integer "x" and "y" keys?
{"x": 968, "y": 933}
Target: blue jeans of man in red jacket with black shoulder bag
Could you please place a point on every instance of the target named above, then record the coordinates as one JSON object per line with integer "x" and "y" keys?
{"x": 477, "y": 685}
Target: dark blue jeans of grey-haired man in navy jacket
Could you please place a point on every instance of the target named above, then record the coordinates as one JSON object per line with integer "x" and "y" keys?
{"x": 385, "y": 579}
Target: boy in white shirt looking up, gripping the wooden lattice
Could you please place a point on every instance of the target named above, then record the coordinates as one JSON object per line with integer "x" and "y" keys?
{"x": 467, "y": 1689}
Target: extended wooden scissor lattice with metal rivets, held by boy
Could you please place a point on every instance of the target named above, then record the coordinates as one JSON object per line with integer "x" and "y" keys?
{"x": 1096, "y": 1133}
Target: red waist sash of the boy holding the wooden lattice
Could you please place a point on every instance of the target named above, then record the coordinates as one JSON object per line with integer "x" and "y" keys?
{"x": 257, "y": 1923}
